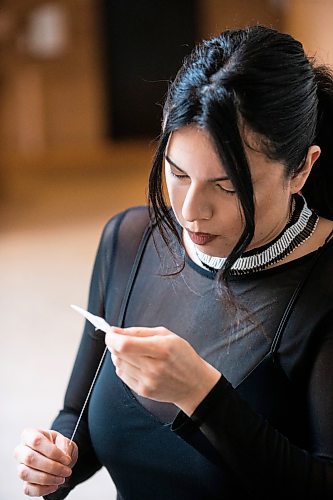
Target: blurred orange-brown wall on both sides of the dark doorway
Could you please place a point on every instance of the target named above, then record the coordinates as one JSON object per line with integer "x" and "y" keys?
{"x": 57, "y": 104}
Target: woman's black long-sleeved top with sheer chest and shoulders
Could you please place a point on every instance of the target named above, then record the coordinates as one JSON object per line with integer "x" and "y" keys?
{"x": 264, "y": 431}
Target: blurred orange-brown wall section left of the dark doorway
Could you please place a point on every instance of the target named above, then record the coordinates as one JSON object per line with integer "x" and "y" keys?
{"x": 47, "y": 103}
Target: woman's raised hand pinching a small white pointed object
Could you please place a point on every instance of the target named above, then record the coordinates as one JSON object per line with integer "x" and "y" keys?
{"x": 160, "y": 365}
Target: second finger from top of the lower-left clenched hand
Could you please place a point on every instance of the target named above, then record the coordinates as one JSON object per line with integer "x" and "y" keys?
{"x": 34, "y": 460}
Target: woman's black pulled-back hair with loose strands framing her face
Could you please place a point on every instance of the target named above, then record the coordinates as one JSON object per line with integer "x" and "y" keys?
{"x": 259, "y": 77}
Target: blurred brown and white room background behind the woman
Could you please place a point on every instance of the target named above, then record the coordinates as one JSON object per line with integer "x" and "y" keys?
{"x": 81, "y": 88}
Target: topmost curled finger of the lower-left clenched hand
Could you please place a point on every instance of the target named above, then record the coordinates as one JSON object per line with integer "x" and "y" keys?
{"x": 43, "y": 442}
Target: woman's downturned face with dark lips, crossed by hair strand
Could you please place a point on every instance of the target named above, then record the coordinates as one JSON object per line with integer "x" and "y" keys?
{"x": 203, "y": 198}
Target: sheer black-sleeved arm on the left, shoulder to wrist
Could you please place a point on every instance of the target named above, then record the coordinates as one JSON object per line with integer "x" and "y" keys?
{"x": 118, "y": 246}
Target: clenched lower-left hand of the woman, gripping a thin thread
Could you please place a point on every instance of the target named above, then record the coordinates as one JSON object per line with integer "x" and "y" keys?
{"x": 45, "y": 459}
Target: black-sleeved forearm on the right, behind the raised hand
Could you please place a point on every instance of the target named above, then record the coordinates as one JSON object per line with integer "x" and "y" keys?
{"x": 266, "y": 462}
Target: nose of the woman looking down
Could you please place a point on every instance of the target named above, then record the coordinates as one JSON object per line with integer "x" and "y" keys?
{"x": 196, "y": 205}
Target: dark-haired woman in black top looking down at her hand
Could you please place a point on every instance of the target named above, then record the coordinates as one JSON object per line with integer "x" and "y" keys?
{"x": 219, "y": 384}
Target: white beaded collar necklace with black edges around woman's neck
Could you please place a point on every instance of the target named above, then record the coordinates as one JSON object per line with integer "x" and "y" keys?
{"x": 300, "y": 227}
